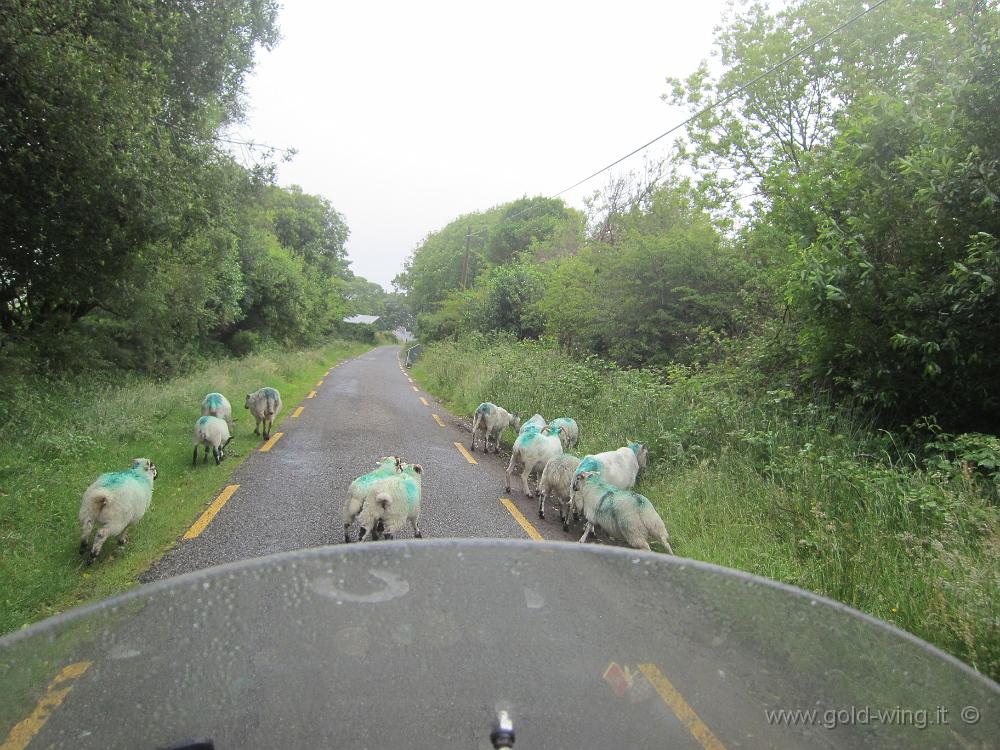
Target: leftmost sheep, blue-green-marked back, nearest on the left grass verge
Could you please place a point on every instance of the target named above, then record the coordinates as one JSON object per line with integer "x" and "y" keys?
{"x": 115, "y": 501}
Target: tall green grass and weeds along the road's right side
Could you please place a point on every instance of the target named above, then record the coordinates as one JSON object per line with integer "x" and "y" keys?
{"x": 749, "y": 475}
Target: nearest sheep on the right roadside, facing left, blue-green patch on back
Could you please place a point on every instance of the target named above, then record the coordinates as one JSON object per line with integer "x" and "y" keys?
{"x": 621, "y": 513}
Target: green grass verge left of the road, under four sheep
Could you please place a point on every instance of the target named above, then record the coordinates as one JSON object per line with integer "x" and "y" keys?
{"x": 57, "y": 436}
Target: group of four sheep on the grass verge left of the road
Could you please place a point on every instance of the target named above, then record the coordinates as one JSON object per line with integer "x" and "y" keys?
{"x": 118, "y": 499}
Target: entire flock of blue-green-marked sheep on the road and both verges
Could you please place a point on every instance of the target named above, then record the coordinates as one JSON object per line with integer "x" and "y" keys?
{"x": 597, "y": 487}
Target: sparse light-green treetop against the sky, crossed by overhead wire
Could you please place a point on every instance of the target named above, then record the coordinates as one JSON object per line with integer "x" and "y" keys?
{"x": 774, "y": 124}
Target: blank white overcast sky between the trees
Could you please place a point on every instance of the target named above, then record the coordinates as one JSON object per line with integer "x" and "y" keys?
{"x": 407, "y": 115}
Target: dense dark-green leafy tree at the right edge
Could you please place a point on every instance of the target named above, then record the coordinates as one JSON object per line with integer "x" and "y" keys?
{"x": 895, "y": 289}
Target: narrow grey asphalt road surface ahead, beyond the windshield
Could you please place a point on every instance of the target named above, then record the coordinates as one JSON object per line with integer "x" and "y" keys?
{"x": 292, "y": 496}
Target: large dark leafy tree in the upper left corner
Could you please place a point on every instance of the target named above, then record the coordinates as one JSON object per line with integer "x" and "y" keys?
{"x": 106, "y": 141}
